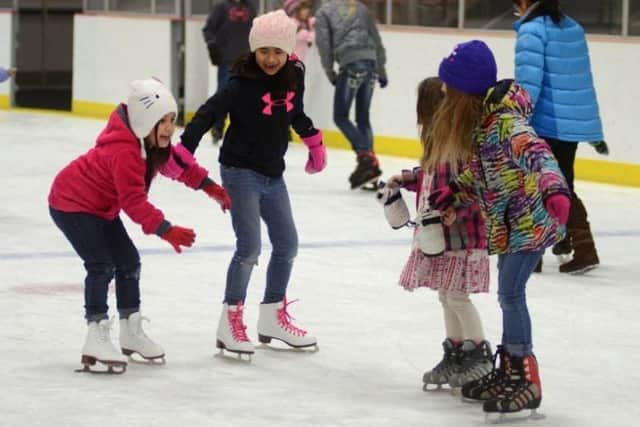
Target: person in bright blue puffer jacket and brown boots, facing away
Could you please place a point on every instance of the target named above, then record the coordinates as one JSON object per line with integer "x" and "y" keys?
{"x": 552, "y": 64}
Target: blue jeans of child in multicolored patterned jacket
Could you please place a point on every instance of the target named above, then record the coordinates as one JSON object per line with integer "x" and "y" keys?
{"x": 514, "y": 269}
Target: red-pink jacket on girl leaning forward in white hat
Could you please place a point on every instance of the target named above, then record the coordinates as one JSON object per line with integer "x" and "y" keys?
{"x": 110, "y": 177}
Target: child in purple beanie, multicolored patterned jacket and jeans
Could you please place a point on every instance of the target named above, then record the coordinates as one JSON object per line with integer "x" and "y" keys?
{"x": 525, "y": 202}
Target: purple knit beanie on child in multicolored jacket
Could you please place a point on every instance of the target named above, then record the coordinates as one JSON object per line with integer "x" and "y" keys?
{"x": 470, "y": 68}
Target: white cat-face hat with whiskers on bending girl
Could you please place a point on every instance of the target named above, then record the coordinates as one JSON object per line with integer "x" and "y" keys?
{"x": 149, "y": 101}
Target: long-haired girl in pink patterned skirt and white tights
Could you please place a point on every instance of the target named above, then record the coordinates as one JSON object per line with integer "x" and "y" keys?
{"x": 464, "y": 266}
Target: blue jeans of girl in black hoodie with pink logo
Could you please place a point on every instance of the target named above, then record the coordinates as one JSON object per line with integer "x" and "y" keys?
{"x": 256, "y": 196}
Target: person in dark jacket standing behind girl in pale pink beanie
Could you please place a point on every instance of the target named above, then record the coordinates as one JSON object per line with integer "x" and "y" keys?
{"x": 226, "y": 34}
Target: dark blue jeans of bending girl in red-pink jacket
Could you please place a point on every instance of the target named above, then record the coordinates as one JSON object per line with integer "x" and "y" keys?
{"x": 107, "y": 251}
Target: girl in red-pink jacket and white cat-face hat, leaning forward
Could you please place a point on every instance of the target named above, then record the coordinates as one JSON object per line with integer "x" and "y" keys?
{"x": 85, "y": 203}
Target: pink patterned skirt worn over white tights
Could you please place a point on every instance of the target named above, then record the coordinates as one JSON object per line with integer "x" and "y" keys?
{"x": 465, "y": 271}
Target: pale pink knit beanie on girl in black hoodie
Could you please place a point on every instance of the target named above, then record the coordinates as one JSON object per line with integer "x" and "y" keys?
{"x": 273, "y": 29}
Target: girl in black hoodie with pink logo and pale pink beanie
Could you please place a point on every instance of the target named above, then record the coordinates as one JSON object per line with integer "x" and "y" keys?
{"x": 263, "y": 98}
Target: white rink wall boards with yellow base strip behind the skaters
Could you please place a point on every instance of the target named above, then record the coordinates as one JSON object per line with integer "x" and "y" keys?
{"x": 107, "y": 56}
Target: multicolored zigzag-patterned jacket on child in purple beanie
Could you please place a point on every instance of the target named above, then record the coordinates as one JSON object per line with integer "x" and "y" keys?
{"x": 511, "y": 175}
